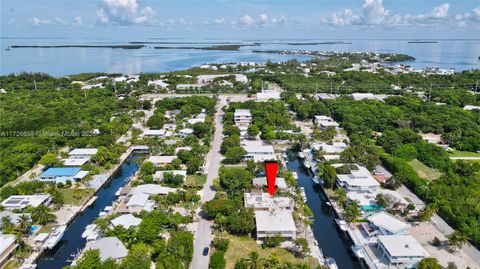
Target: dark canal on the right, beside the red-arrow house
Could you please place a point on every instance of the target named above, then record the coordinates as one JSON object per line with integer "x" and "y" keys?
{"x": 331, "y": 240}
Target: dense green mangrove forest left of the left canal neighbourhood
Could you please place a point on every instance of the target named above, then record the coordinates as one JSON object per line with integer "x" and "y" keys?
{"x": 40, "y": 114}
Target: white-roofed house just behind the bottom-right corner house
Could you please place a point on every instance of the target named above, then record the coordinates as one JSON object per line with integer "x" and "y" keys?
{"x": 388, "y": 224}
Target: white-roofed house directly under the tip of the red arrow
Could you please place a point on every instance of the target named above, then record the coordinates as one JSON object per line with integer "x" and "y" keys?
{"x": 264, "y": 201}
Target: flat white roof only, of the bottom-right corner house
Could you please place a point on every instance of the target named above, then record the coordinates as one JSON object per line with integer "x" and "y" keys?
{"x": 402, "y": 245}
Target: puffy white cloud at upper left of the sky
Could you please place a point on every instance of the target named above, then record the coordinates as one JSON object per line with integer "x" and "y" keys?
{"x": 124, "y": 12}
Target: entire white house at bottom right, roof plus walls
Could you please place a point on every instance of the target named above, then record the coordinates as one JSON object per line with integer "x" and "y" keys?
{"x": 401, "y": 248}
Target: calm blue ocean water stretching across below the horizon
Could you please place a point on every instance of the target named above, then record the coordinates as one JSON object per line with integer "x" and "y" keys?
{"x": 457, "y": 54}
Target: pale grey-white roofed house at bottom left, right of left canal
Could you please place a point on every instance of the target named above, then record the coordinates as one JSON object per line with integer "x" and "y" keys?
{"x": 109, "y": 248}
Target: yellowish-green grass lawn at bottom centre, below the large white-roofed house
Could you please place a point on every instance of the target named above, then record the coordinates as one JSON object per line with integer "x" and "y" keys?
{"x": 240, "y": 247}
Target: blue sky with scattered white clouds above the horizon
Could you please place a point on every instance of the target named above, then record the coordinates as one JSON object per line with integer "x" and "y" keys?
{"x": 236, "y": 19}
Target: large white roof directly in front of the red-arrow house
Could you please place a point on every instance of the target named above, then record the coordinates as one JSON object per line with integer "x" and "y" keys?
{"x": 274, "y": 221}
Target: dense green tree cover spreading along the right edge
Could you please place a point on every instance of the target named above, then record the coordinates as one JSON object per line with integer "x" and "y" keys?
{"x": 387, "y": 133}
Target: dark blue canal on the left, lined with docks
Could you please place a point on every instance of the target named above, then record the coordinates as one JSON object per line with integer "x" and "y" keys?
{"x": 72, "y": 241}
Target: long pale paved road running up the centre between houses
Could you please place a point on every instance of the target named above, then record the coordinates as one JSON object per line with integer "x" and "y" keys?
{"x": 203, "y": 235}
